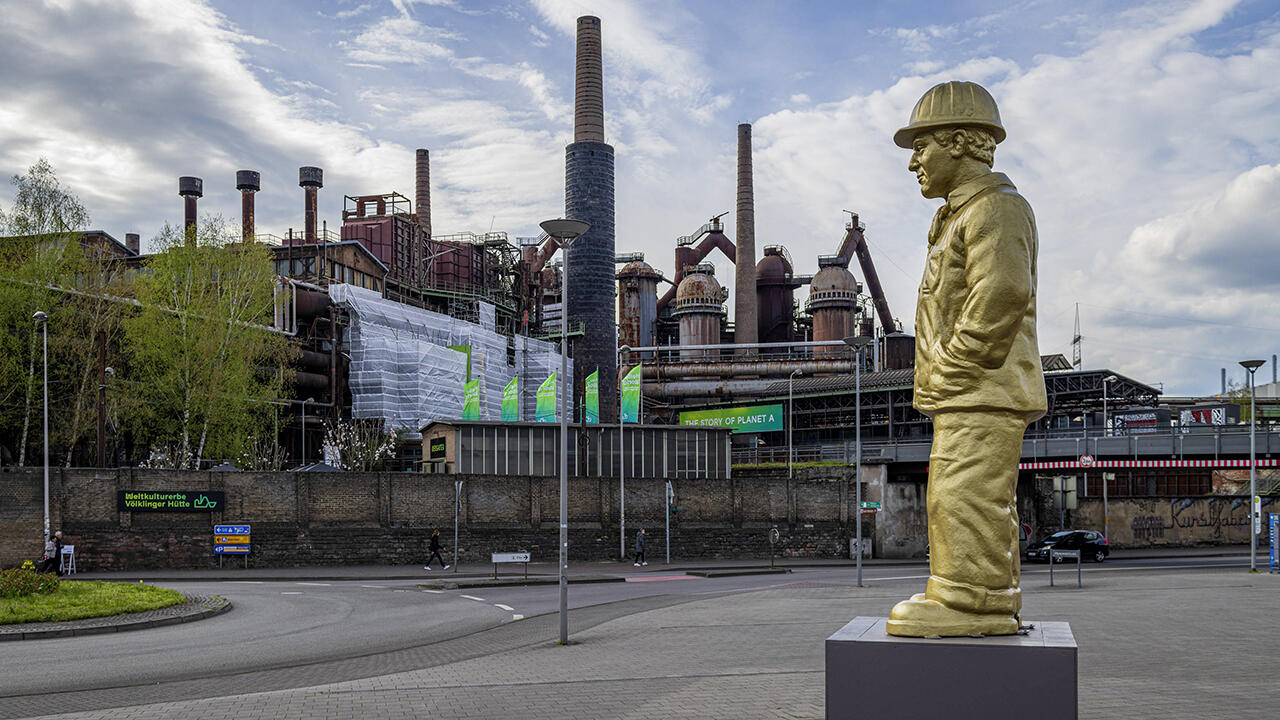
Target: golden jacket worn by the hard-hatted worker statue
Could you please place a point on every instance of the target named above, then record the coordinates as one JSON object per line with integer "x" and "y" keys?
{"x": 976, "y": 344}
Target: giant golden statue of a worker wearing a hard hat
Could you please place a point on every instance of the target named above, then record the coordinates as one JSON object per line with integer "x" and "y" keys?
{"x": 977, "y": 366}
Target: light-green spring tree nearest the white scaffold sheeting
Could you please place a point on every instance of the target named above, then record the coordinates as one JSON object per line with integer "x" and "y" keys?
{"x": 204, "y": 362}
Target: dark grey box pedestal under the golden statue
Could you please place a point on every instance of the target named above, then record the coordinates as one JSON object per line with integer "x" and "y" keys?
{"x": 875, "y": 676}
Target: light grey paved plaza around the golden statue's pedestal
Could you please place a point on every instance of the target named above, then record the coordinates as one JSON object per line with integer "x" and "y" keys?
{"x": 1154, "y": 644}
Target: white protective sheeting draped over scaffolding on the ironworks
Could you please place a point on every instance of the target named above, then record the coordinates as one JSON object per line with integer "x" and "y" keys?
{"x": 404, "y": 371}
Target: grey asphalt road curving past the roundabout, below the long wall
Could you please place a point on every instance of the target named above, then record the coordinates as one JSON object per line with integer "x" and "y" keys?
{"x": 294, "y": 635}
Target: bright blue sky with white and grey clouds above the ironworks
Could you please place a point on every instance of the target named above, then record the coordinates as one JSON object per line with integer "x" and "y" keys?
{"x": 1146, "y": 136}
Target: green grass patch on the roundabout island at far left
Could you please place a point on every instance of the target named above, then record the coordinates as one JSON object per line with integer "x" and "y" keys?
{"x": 76, "y": 600}
